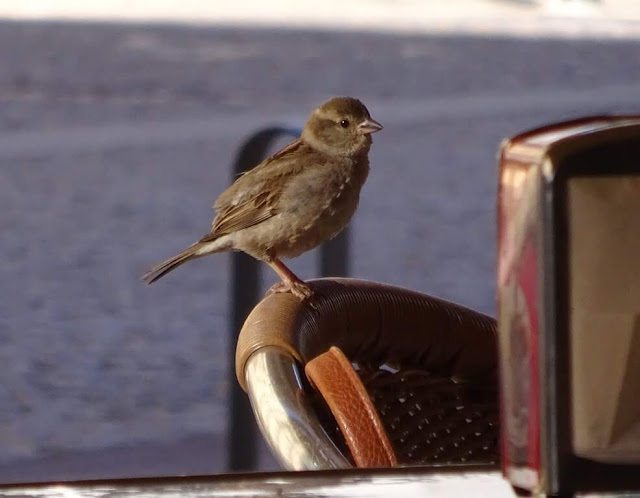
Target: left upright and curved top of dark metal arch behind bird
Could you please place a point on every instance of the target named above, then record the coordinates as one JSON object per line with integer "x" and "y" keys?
{"x": 242, "y": 447}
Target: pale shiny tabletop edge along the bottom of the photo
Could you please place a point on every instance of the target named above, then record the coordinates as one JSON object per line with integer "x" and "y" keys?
{"x": 469, "y": 482}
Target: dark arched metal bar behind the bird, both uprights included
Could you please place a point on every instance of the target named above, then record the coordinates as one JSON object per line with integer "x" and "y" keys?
{"x": 334, "y": 261}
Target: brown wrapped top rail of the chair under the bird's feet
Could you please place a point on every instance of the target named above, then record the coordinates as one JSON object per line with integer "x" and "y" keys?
{"x": 372, "y": 323}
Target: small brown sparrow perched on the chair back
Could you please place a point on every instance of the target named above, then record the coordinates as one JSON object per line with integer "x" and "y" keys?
{"x": 300, "y": 197}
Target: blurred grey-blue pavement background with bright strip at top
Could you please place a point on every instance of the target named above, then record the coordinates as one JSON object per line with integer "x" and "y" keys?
{"x": 119, "y": 123}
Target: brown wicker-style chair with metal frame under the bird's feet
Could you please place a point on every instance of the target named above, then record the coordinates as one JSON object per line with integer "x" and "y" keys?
{"x": 393, "y": 377}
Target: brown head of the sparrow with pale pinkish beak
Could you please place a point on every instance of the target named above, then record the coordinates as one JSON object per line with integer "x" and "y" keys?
{"x": 340, "y": 126}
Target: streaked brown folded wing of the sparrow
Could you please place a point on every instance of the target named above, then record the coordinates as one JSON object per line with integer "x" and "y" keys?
{"x": 253, "y": 197}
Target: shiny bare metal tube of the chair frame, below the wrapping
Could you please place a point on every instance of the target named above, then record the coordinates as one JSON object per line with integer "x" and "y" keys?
{"x": 284, "y": 413}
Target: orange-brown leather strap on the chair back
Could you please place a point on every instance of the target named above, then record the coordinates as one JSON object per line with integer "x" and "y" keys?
{"x": 335, "y": 378}
